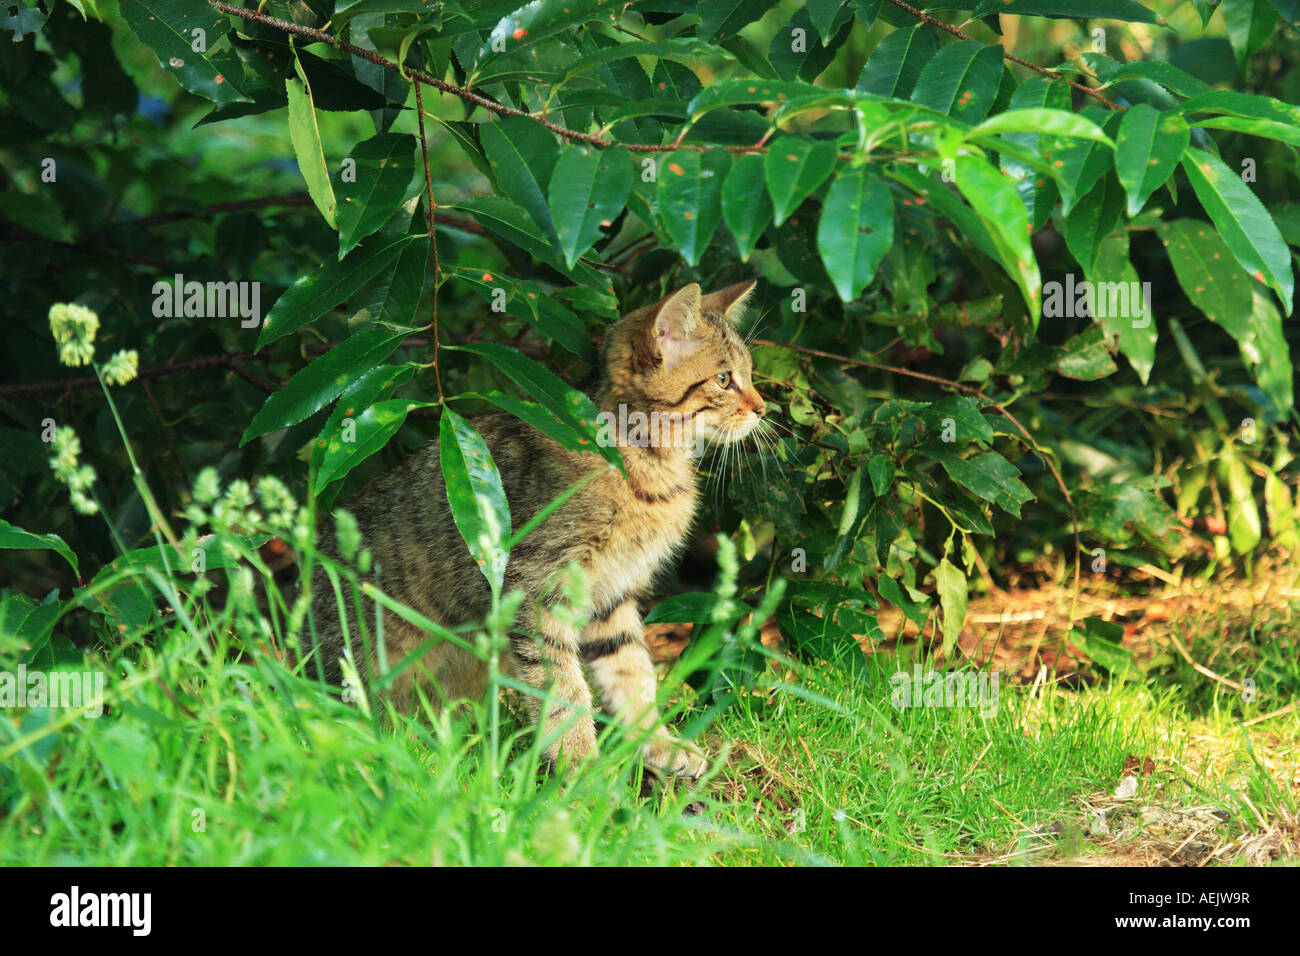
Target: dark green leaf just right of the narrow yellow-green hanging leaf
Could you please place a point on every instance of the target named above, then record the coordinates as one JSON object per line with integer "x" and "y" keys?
{"x": 375, "y": 185}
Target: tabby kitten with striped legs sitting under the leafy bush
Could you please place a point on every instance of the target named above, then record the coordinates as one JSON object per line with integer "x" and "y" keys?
{"x": 682, "y": 358}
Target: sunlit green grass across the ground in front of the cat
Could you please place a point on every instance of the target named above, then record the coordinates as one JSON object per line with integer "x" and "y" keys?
{"x": 211, "y": 752}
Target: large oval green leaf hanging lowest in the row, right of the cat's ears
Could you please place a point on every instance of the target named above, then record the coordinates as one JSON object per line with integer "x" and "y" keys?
{"x": 856, "y": 231}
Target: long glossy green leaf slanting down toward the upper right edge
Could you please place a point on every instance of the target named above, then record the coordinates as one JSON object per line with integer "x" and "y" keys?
{"x": 1242, "y": 222}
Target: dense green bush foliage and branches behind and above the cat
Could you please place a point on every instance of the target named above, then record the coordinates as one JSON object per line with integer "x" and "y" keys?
{"x": 1009, "y": 306}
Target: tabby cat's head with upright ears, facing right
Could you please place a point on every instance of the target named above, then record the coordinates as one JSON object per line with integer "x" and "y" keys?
{"x": 684, "y": 361}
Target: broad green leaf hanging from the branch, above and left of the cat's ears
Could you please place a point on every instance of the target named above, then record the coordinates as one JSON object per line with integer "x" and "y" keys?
{"x": 590, "y": 189}
